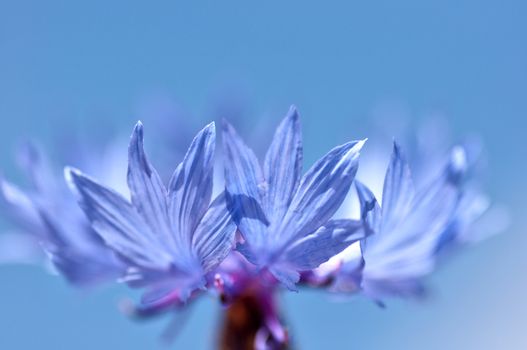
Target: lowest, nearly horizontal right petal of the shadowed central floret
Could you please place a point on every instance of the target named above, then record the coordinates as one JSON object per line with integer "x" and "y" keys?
{"x": 325, "y": 243}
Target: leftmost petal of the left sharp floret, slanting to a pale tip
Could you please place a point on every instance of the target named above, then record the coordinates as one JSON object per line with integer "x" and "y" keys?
{"x": 118, "y": 223}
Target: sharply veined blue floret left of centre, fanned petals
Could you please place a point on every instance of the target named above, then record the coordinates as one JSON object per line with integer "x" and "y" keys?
{"x": 170, "y": 238}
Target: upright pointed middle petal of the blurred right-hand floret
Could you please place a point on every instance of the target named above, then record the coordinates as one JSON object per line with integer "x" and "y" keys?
{"x": 398, "y": 191}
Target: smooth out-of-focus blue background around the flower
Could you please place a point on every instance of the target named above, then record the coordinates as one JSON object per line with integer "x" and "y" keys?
{"x": 85, "y": 67}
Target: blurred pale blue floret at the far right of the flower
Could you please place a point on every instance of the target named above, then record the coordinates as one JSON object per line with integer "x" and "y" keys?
{"x": 407, "y": 229}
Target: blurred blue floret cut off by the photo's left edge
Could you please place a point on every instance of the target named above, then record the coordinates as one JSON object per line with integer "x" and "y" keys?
{"x": 47, "y": 217}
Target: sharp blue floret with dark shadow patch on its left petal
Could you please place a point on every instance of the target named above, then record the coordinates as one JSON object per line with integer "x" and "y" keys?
{"x": 284, "y": 217}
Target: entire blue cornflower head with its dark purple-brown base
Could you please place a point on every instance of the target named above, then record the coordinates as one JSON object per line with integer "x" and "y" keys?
{"x": 272, "y": 227}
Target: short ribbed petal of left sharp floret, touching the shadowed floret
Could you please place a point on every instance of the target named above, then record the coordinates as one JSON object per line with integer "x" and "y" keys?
{"x": 214, "y": 237}
